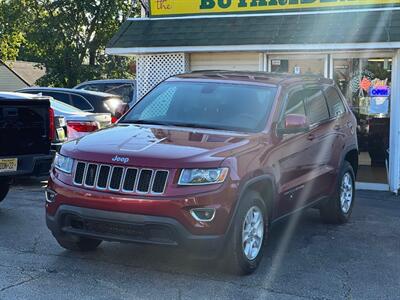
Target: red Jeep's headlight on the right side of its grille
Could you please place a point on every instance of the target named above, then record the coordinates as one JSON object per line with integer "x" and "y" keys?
{"x": 202, "y": 176}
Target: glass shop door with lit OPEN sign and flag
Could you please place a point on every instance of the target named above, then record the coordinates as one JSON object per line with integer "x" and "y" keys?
{"x": 365, "y": 81}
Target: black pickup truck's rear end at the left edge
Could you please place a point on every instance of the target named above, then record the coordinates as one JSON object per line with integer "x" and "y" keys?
{"x": 26, "y": 132}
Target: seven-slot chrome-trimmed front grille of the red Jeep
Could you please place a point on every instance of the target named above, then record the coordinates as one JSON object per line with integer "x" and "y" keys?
{"x": 122, "y": 179}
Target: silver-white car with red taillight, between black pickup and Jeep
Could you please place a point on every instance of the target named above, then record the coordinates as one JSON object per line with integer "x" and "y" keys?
{"x": 78, "y": 122}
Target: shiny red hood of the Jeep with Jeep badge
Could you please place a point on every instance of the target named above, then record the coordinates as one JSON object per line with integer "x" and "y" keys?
{"x": 167, "y": 147}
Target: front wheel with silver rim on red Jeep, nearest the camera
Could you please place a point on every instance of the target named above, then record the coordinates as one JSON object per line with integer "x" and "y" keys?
{"x": 249, "y": 231}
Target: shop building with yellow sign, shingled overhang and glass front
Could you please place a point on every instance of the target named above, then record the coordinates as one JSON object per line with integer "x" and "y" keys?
{"x": 356, "y": 43}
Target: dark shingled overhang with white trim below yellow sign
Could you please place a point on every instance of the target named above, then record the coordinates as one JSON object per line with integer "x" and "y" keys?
{"x": 312, "y": 31}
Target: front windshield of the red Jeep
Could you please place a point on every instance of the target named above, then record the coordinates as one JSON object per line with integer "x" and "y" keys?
{"x": 236, "y": 107}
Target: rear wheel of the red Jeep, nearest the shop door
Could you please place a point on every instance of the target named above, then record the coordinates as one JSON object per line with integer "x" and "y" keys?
{"x": 339, "y": 207}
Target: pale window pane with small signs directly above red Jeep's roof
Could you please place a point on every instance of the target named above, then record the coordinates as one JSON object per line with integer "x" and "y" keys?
{"x": 299, "y": 64}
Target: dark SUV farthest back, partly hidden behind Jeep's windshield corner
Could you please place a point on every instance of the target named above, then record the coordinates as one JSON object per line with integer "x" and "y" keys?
{"x": 126, "y": 88}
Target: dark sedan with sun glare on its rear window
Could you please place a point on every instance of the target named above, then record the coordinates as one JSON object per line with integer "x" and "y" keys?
{"x": 88, "y": 101}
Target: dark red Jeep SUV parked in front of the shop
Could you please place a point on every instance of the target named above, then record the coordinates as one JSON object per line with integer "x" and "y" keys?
{"x": 207, "y": 161}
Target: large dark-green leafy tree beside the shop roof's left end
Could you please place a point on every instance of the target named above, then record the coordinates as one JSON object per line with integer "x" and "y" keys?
{"x": 68, "y": 37}
